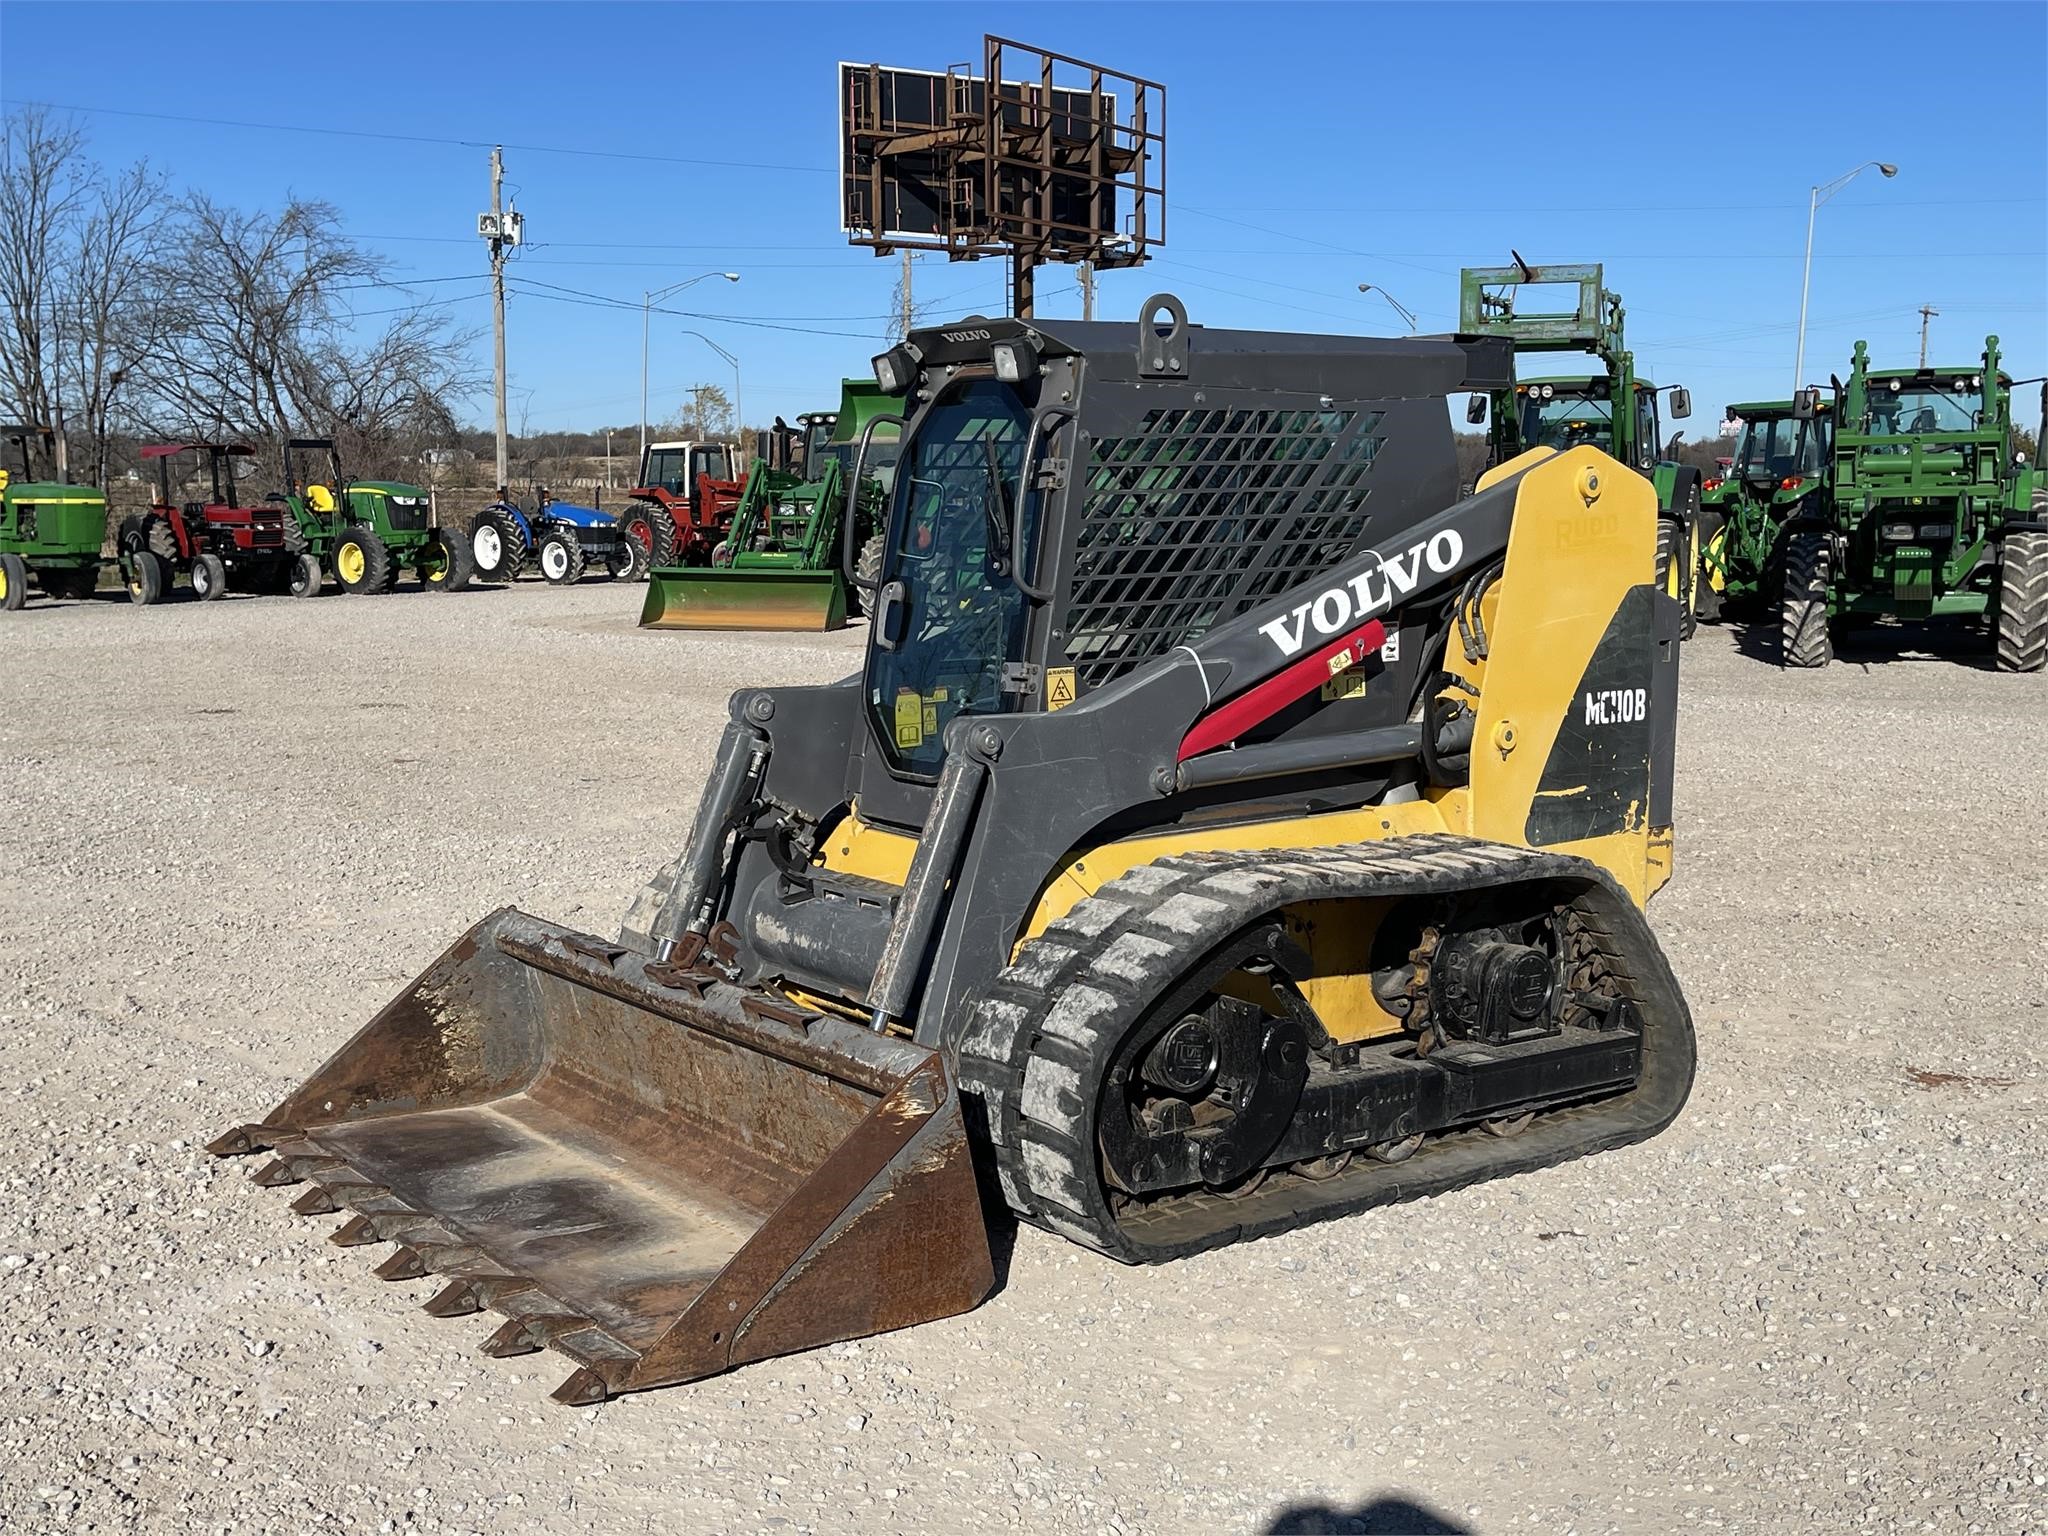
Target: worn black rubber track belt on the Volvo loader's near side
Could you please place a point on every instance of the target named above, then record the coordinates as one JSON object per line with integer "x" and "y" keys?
{"x": 1039, "y": 1043}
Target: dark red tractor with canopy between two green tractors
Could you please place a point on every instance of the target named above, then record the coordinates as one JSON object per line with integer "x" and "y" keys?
{"x": 216, "y": 544}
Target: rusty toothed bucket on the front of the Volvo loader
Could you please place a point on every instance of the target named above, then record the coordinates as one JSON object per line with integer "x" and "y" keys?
{"x": 638, "y": 1164}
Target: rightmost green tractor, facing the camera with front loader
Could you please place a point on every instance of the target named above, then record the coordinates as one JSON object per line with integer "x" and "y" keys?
{"x": 1928, "y": 515}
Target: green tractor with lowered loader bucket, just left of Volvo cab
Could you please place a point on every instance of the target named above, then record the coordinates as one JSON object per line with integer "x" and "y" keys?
{"x": 792, "y": 554}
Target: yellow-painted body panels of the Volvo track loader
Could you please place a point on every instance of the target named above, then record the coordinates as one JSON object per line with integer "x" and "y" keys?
{"x": 1584, "y": 536}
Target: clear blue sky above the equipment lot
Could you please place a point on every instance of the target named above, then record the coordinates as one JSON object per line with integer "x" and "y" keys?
{"x": 1396, "y": 144}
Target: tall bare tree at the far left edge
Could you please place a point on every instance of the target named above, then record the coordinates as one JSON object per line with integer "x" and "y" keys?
{"x": 40, "y": 194}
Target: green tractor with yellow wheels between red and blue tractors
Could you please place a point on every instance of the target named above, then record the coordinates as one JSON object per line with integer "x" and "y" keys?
{"x": 368, "y": 531}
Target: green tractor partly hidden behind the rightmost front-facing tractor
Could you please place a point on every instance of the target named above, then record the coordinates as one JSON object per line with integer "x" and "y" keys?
{"x": 1779, "y": 476}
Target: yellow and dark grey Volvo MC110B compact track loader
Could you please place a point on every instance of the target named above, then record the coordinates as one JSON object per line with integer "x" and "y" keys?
{"x": 1230, "y": 828}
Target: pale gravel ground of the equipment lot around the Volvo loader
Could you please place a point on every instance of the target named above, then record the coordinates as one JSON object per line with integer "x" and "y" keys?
{"x": 1818, "y": 1304}
